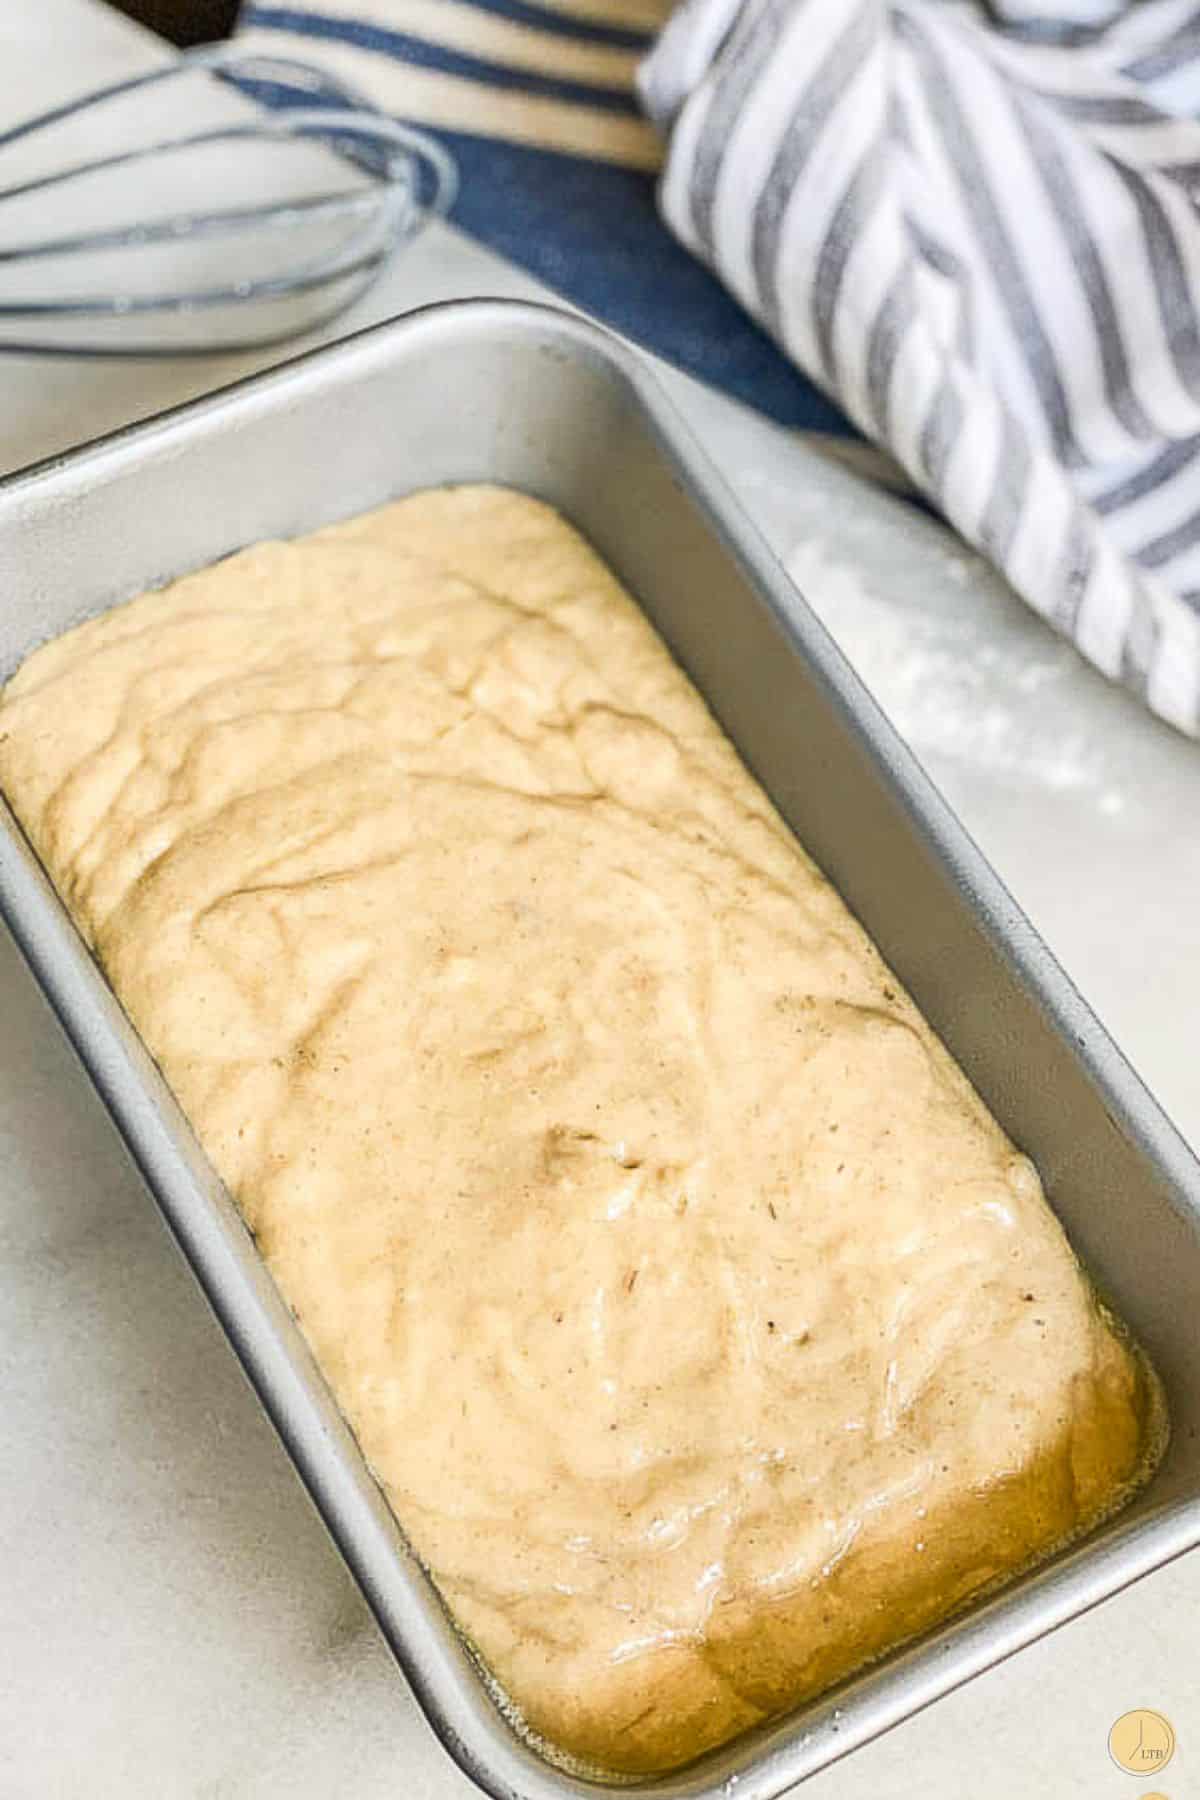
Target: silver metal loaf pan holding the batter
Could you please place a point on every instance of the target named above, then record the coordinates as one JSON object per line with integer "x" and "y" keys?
{"x": 521, "y": 395}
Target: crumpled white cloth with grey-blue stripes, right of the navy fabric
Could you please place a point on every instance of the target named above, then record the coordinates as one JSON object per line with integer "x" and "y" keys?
{"x": 976, "y": 226}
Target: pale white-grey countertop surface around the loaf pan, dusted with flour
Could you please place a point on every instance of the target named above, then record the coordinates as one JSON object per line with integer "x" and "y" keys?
{"x": 174, "y": 1619}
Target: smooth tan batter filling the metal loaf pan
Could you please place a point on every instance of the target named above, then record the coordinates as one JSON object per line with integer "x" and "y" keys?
{"x": 704, "y": 1329}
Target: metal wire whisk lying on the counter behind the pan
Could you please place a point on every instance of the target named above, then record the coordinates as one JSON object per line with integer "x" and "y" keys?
{"x": 319, "y": 195}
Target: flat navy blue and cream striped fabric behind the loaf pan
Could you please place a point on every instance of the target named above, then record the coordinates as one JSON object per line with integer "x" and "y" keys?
{"x": 537, "y": 103}
